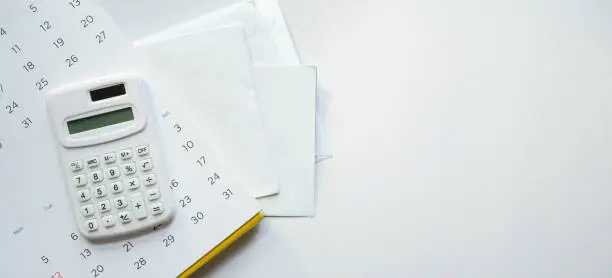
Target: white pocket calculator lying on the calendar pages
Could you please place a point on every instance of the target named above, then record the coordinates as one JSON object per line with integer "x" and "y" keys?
{"x": 110, "y": 152}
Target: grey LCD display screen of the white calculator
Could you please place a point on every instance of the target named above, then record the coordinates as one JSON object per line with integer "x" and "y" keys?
{"x": 100, "y": 120}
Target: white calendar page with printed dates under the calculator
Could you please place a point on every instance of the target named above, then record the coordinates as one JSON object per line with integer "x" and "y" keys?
{"x": 44, "y": 44}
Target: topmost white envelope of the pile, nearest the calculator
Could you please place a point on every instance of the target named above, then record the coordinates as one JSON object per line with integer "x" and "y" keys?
{"x": 212, "y": 75}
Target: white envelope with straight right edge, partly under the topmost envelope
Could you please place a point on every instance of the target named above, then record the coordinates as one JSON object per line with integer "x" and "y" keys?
{"x": 286, "y": 96}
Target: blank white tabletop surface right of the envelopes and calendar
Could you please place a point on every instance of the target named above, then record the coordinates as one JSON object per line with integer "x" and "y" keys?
{"x": 471, "y": 139}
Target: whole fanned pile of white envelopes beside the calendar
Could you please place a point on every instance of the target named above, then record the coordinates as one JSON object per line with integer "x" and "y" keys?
{"x": 235, "y": 71}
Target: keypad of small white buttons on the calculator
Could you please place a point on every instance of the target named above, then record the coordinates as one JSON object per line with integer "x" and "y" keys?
{"x": 117, "y": 187}
